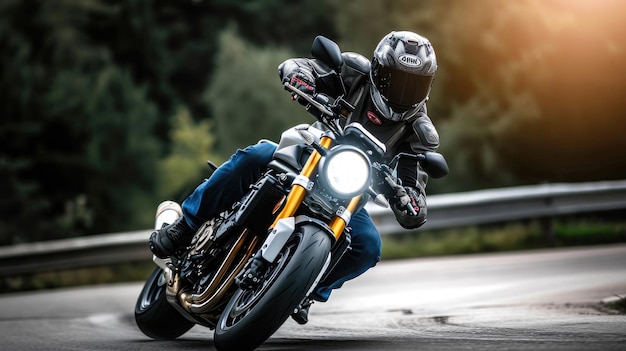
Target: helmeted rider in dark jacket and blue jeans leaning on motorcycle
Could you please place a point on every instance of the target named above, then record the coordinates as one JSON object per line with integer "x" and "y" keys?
{"x": 389, "y": 94}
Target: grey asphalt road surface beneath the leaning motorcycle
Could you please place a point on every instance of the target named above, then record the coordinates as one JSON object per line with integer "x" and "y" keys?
{"x": 538, "y": 300}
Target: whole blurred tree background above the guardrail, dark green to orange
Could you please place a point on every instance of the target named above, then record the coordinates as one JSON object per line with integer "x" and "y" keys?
{"x": 109, "y": 107}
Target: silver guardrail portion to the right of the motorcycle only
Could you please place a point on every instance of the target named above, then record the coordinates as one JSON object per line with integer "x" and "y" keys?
{"x": 511, "y": 204}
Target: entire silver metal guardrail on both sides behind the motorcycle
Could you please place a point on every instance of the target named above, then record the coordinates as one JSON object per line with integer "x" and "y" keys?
{"x": 444, "y": 211}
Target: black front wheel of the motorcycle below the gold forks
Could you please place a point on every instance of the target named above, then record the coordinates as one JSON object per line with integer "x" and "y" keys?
{"x": 252, "y": 316}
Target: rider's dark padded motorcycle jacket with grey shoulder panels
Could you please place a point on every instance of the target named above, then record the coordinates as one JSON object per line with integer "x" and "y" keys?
{"x": 414, "y": 135}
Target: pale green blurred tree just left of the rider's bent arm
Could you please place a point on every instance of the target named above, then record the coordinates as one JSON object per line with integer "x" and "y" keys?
{"x": 247, "y": 99}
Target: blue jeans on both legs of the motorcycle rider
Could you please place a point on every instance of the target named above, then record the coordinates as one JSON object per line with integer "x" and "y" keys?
{"x": 232, "y": 180}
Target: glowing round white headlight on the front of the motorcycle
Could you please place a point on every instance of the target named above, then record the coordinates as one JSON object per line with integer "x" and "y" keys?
{"x": 345, "y": 171}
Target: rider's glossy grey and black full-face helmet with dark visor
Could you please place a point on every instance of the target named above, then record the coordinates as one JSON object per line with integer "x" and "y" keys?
{"x": 402, "y": 73}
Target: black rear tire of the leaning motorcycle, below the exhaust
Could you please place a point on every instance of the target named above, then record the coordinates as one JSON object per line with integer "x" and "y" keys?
{"x": 154, "y": 316}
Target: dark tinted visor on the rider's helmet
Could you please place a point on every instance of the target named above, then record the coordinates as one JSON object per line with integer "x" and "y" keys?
{"x": 402, "y": 90}
